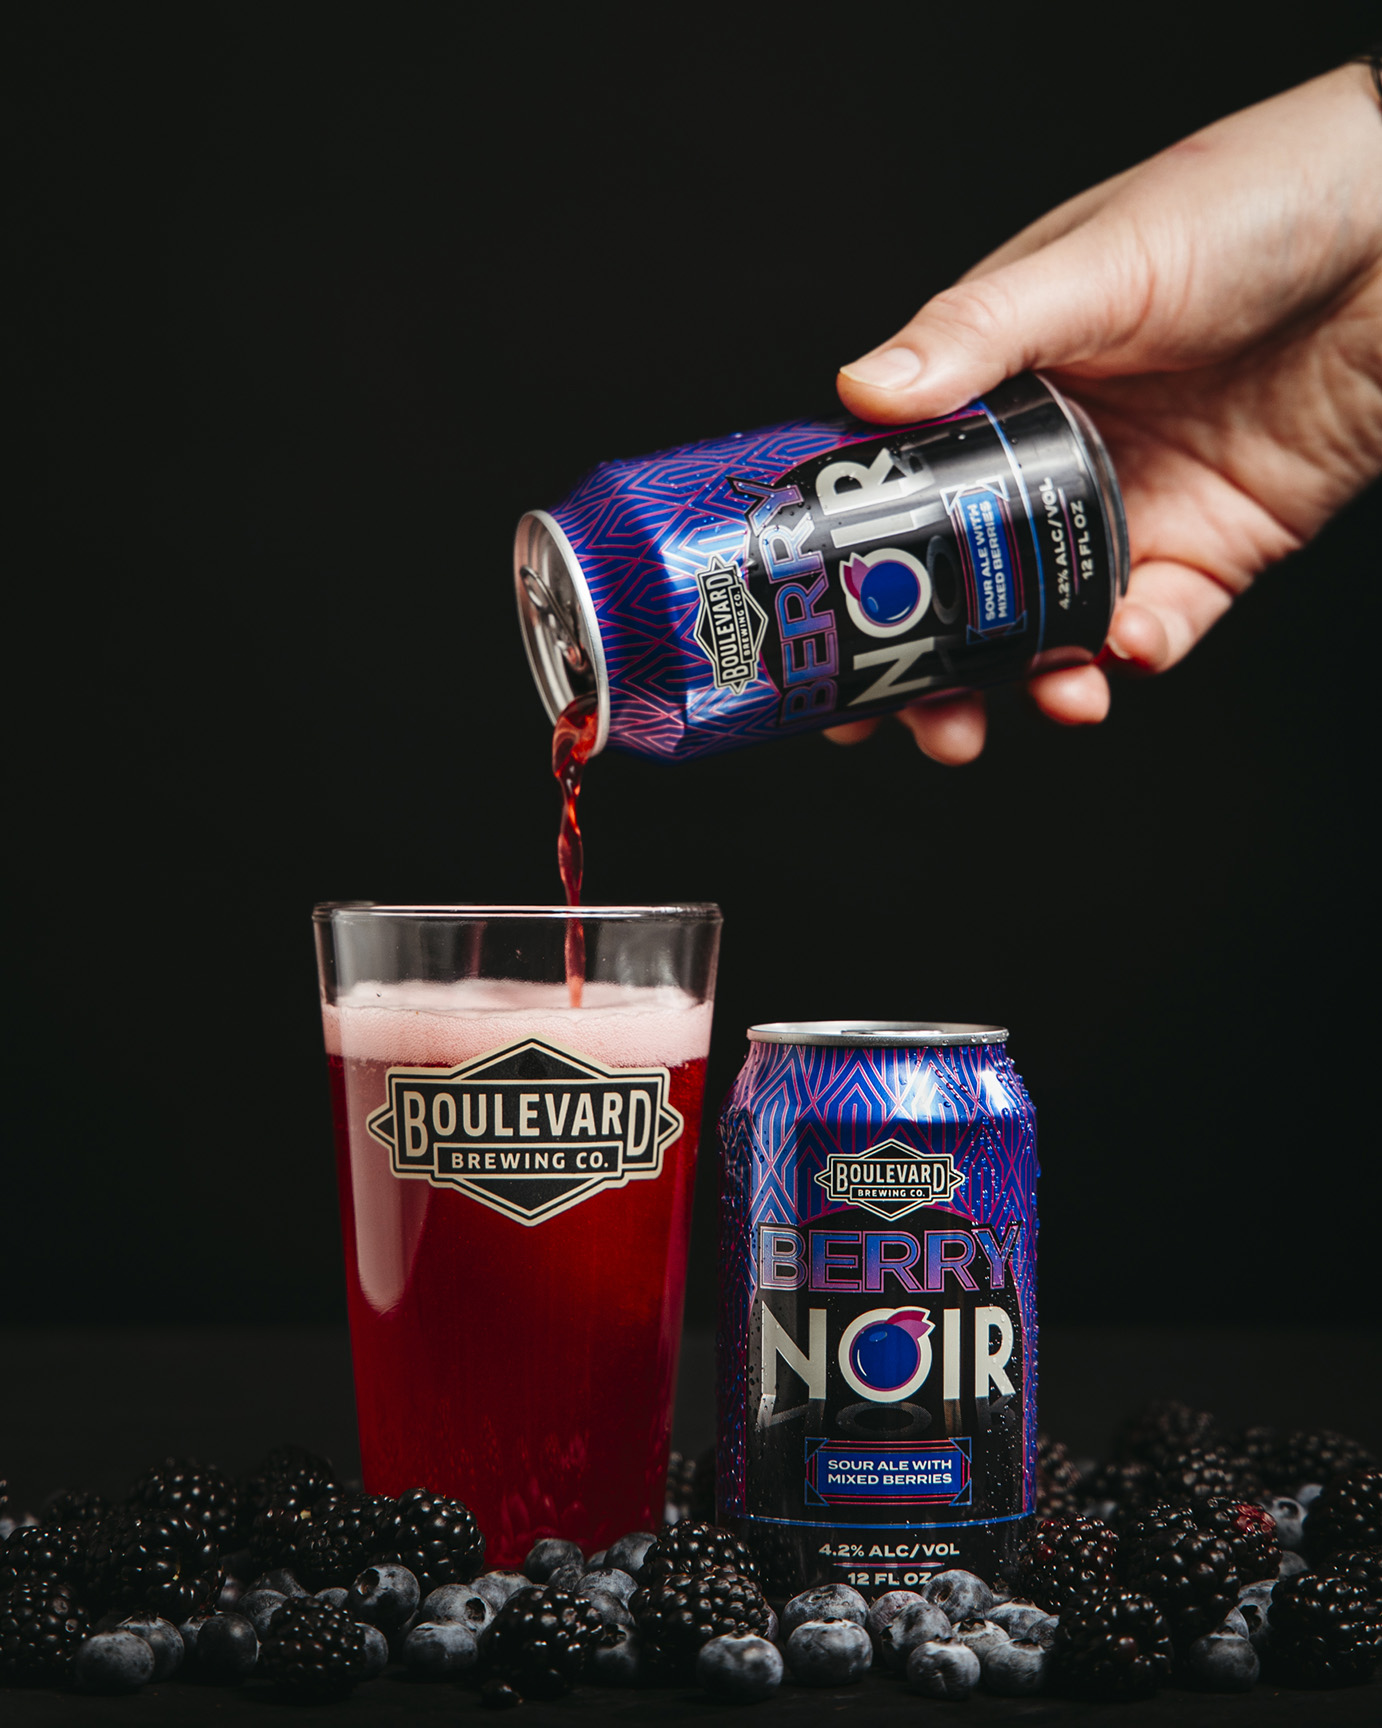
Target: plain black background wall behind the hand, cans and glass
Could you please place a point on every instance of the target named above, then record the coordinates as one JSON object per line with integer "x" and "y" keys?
{"x": 312, "y": 307}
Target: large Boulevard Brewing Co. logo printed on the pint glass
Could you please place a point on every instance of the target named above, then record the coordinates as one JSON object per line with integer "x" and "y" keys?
{"x": 529, "y": 1131}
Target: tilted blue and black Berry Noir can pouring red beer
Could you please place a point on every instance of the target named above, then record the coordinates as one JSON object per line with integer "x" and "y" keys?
{"x": 816, "y": 573}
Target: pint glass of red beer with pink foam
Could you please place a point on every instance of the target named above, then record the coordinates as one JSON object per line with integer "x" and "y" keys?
{"x": 516, "y": 1197}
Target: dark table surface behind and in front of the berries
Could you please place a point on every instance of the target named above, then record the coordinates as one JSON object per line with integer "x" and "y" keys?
{"x": 92, "y": 1407}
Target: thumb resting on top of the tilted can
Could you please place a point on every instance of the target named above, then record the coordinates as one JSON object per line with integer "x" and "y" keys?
{"x": 1072, "y": 305}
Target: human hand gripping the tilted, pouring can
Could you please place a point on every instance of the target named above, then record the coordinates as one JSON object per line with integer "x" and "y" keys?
{"x": 1219, "y": 312}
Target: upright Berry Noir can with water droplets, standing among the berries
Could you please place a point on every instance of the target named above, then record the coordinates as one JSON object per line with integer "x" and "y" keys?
{"x": 878, "y": 1286}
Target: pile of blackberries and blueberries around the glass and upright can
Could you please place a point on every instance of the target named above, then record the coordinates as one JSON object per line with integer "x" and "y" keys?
{"x": 1191, "y": 1556}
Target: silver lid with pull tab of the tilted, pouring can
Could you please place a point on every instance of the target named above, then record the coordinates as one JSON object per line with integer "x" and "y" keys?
{"x": 559, "y": 621}
